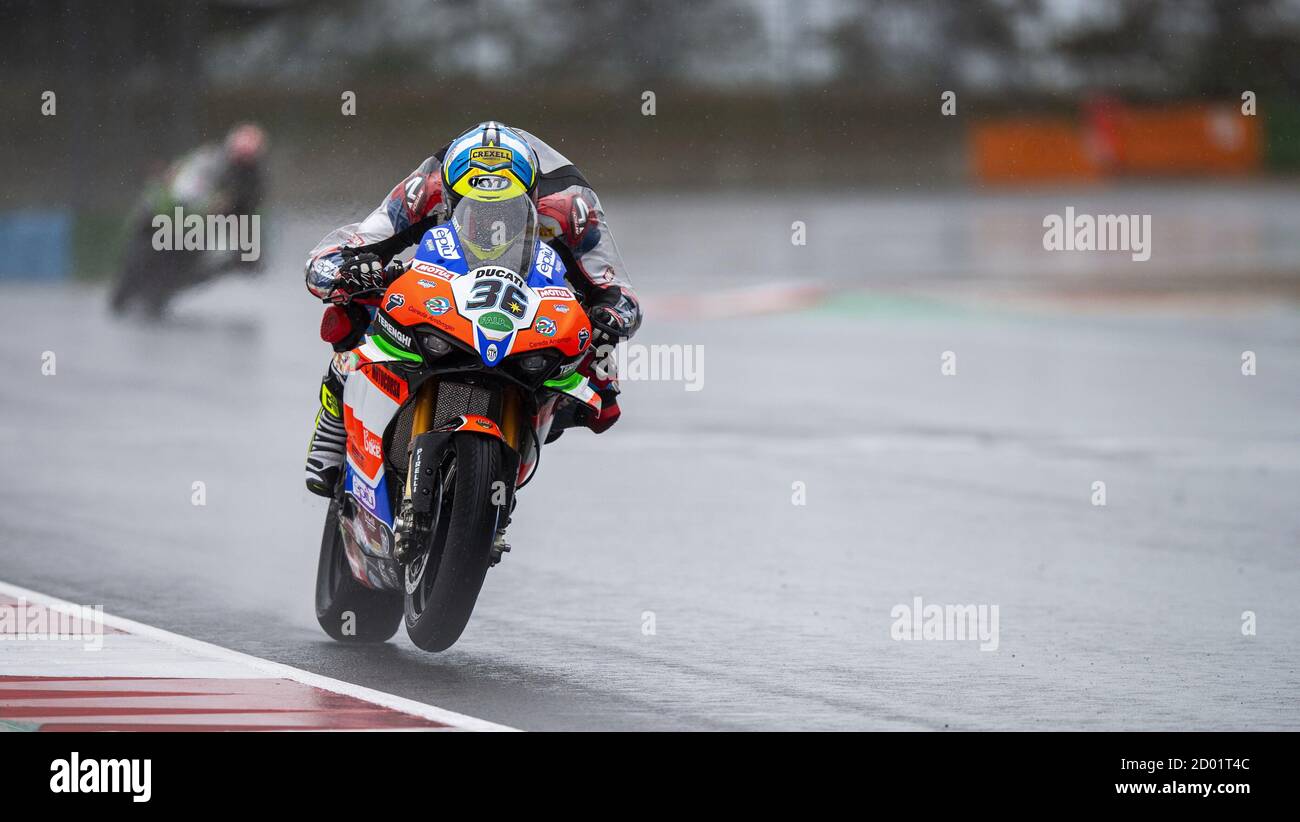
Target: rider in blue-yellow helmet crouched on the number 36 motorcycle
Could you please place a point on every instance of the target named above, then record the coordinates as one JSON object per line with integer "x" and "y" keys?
{"x": 353, "y": 266}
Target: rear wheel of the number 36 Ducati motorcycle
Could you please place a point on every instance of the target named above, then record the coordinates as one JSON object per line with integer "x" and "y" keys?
{"x": 346, "y": 609}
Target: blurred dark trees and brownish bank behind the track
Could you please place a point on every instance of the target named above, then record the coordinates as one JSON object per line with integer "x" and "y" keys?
{"x": 738, "y": 81}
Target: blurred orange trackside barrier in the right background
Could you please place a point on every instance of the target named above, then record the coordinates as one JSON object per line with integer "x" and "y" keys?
{"x": 1119, "y": 140}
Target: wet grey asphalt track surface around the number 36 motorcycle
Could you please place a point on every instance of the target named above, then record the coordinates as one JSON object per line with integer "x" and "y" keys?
{"x": 974, "y": 488}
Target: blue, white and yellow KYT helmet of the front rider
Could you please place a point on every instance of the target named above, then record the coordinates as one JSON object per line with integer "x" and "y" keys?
{"x": 489, "y": 163}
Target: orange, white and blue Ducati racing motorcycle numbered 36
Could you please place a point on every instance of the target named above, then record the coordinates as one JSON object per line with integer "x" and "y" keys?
{"x": 448, "y": 403}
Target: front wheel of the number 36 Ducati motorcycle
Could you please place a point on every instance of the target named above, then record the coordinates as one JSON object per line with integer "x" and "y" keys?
{"x": 443, "y": 583}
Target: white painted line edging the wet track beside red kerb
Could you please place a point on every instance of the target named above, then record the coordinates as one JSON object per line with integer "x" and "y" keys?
{"x": 267, "y": 667}
